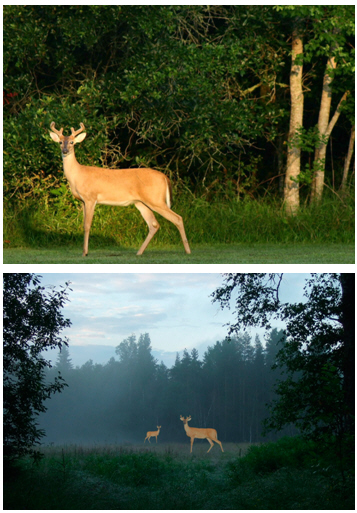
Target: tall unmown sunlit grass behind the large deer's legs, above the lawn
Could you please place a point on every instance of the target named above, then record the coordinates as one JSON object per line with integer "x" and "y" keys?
{"x": 57, "y": 220}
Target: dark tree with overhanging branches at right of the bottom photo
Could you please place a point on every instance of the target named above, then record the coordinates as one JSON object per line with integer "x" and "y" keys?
{"x": 317, "y": 393}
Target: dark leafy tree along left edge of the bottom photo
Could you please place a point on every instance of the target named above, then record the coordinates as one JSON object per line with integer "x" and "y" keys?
{"x": 33, "y": 322}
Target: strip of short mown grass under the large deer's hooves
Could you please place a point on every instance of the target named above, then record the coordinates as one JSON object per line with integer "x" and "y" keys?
{"x": 258, "y": 253}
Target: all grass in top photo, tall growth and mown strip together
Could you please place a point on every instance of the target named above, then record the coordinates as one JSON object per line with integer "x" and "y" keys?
{"x": 220, "y": 231}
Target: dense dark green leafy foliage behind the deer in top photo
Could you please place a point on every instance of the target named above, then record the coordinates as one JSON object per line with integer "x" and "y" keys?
{"x": 195, "y": 91}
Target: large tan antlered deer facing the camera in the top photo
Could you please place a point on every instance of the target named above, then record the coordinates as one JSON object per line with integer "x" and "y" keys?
{"x": 148, "y": 189}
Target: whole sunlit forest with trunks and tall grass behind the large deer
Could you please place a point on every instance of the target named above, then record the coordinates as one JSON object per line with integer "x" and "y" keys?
{"x": 249, "y": 110}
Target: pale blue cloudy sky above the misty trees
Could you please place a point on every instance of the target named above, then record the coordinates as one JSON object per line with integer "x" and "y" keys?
{"x": 174, "y": 308}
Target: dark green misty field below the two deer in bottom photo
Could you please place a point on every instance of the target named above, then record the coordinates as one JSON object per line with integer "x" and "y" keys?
{"x": 288, "y": 474}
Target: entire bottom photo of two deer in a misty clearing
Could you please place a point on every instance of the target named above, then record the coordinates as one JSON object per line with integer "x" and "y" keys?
{"x": 178, "y": 391}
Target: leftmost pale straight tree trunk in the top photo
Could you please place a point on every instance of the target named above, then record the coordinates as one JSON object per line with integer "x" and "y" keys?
{"x": 291, "y": 187}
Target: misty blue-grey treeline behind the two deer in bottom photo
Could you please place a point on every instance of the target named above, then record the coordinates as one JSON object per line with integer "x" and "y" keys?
{"x": 120, "y": 401}
